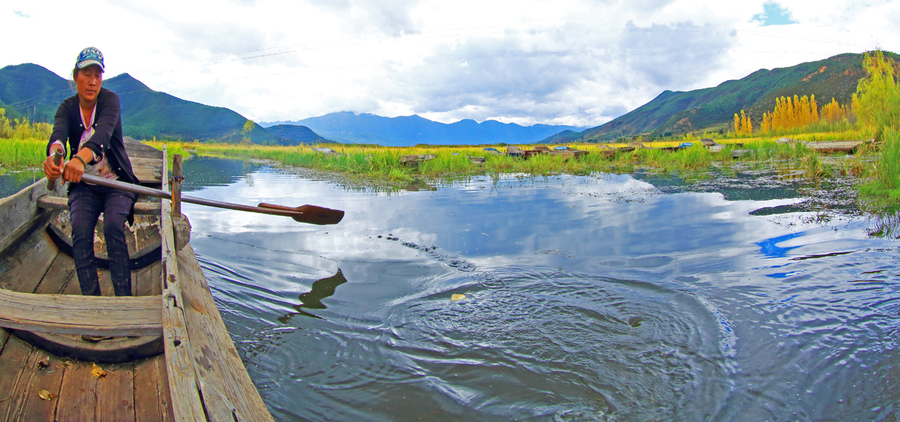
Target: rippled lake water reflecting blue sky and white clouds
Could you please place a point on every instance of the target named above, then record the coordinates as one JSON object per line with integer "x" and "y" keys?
{"x": 754, "y": 296}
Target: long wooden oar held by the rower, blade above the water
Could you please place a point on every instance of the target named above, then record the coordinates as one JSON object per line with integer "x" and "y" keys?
{"x": 305, "y": 214}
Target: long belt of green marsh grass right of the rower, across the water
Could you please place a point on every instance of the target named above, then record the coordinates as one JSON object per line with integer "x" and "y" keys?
{"x": 378, "y": 163}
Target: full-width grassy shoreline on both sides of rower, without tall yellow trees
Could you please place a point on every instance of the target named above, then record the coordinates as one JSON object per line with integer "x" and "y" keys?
{"x": 381, "y": 166}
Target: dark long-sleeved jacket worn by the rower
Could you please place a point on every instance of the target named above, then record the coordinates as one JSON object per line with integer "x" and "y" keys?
{"x": 107, "y": 138}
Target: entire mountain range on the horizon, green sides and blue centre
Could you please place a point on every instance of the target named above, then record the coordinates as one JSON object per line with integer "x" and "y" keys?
{"x": 33, "y": 91}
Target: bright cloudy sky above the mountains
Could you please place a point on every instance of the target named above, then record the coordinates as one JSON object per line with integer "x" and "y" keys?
{"x": 555, "y": 62}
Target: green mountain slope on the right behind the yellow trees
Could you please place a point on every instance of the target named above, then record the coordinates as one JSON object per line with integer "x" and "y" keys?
{"x": 680, "y": 112}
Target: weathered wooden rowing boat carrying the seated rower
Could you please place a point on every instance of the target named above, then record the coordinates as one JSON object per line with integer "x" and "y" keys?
{"x": 171, "y": 359}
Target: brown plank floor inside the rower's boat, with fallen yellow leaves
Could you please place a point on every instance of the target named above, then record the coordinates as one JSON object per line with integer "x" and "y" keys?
{"x": 130, "y": 391}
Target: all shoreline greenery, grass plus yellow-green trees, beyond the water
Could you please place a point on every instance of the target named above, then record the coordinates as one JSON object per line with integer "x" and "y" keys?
{"x": 873, "y": 115}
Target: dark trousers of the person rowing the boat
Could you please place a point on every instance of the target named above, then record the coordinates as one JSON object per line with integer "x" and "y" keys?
{"x": 85, "y": 204}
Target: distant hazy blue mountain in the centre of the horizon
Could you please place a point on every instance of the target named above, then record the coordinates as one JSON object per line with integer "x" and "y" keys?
{"x": 347, "y": 127}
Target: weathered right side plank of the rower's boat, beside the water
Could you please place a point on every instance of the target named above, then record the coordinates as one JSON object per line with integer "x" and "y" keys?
{"x": 206, "y": 375}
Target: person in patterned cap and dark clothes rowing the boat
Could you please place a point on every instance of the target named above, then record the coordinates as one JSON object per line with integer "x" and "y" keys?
{"x": 89, "y": 126}
